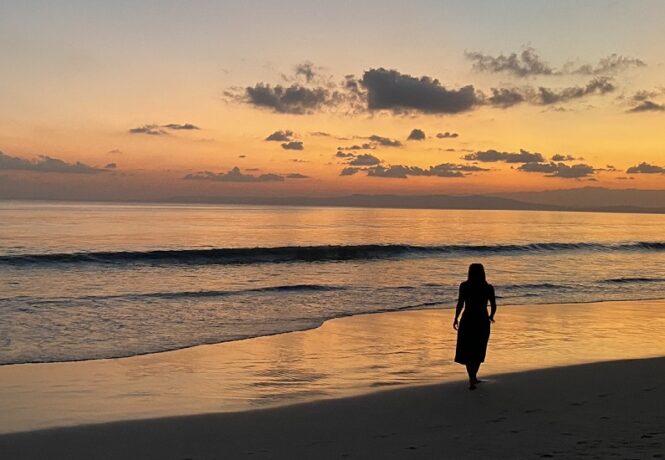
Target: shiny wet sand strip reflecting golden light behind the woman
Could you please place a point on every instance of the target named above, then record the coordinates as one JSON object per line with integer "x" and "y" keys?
{"x": 345, "y": 357}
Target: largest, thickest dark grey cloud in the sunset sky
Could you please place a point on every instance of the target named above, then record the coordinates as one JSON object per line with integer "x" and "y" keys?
{"x": 399, "y": 93}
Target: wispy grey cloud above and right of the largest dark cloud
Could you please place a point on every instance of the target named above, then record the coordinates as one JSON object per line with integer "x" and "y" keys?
{"x": 525, "y": 64}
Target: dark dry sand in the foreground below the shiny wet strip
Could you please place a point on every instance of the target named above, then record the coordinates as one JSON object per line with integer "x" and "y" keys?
{"x": 601, "y": 409}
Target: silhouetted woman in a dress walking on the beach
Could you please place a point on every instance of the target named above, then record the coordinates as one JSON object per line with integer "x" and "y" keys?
{"x": 473, "y": 331}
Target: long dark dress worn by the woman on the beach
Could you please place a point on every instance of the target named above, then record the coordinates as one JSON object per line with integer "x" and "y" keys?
{"x": 474, "y": 327}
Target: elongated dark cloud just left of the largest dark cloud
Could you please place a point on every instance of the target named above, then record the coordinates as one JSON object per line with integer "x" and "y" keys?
{"x": 294, "y": 99}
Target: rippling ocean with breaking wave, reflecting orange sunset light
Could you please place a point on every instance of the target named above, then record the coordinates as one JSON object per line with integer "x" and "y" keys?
{"x": 82, "y": 281}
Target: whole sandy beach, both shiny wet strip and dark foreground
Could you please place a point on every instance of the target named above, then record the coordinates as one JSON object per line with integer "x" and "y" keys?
{"x": 561, "y": 381}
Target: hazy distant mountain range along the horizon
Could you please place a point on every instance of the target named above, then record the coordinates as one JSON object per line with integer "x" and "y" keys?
{"x": 591, "y": 199}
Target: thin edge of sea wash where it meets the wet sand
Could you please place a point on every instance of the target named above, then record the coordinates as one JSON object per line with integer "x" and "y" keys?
{"x": 318, "y": 326}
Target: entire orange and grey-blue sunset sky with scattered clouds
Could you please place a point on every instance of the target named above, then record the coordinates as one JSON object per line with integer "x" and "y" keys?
{"x": 153, "y": 100}
